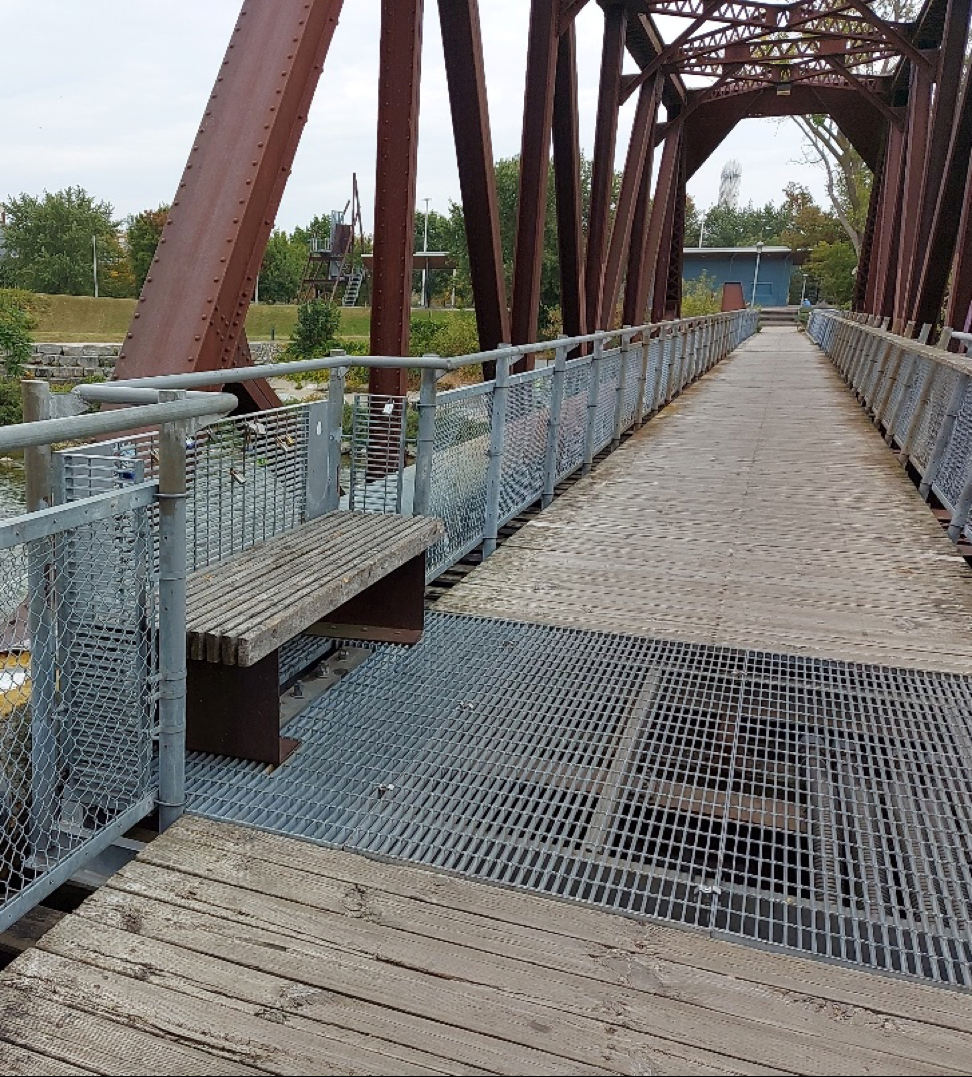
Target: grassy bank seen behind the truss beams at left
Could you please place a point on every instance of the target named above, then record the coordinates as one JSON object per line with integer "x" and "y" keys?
{"x": 82, "y": 319}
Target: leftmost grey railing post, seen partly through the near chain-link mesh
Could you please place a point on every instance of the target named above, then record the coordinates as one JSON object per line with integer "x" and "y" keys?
{"x": 36, "y": 400}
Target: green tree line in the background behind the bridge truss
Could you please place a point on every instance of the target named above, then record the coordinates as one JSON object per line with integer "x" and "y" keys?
{"x": 50, "y": 244}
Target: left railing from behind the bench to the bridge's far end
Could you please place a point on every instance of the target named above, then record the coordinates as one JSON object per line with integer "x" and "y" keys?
{"x": 483, "y": 453}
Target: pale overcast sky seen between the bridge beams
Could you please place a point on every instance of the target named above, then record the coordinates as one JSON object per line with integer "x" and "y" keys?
{"x": 108, "y": 94}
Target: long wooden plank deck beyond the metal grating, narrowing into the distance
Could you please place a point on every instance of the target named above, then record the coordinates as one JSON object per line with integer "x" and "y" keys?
{"x": 760, "y": 510}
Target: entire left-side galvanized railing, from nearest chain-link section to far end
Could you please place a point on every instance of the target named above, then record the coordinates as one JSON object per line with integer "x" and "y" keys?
{"x": 93, "y": 578}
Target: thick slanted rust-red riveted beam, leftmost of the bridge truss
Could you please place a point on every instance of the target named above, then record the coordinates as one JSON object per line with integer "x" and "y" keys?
{"x": 193, "y": 306}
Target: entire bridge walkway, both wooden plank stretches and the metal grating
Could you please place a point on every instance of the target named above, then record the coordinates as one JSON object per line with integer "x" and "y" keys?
{"x": 654, "y": 701}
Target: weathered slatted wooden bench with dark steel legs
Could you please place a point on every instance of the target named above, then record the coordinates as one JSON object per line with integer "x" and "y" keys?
{"x": 358, "y": 576}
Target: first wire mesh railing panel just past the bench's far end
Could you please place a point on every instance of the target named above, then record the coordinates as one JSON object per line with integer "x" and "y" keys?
{"x": 459, "y": 472}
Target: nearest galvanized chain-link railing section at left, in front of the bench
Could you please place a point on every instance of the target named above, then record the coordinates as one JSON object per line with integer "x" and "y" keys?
{"x": 92, "y": 650}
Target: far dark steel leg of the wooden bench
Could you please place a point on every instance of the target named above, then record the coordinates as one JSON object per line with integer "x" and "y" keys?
{"x": 391, "y": 611}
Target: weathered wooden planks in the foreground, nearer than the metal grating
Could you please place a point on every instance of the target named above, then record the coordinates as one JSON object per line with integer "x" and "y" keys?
{"x": 224, "y": 950}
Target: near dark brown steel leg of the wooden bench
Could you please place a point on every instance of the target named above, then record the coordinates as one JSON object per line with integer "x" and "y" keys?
{"x": 235, "y": 711}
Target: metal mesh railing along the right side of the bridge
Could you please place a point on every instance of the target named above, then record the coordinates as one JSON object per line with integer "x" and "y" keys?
{"x": 919, "y": 396}
